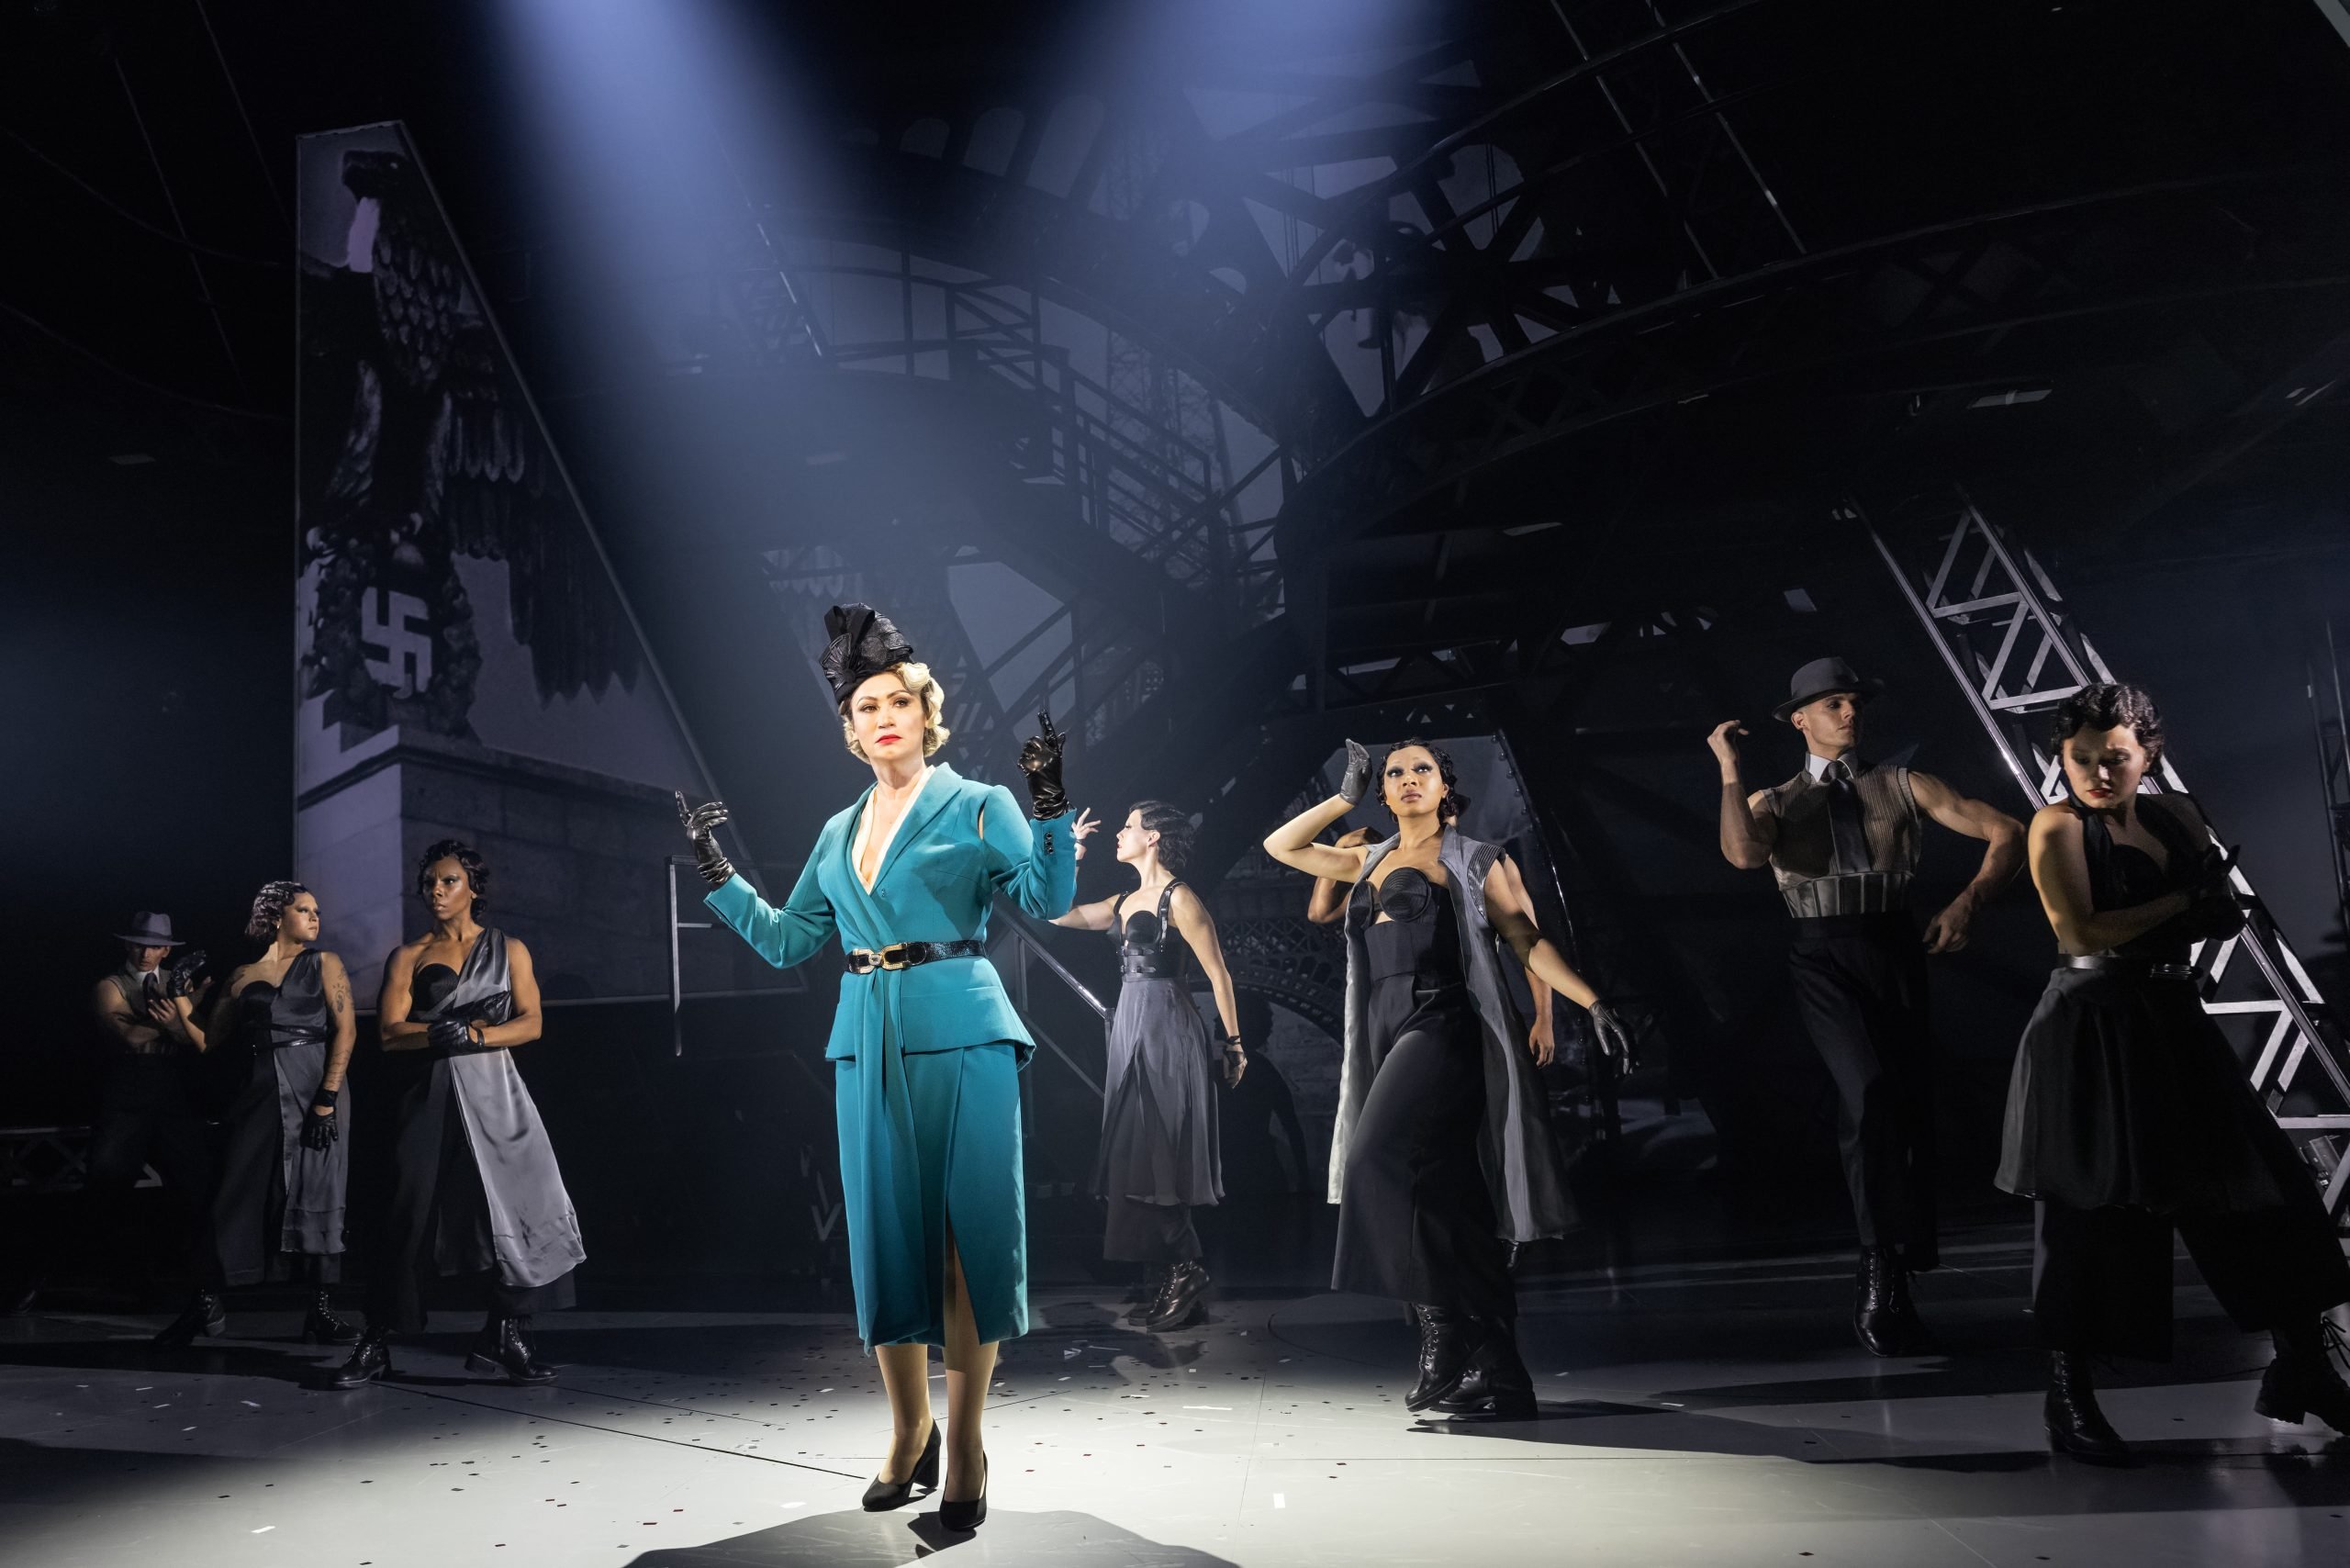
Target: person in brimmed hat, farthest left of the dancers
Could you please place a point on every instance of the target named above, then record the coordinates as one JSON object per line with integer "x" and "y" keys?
{"x": 152, "y": 1113}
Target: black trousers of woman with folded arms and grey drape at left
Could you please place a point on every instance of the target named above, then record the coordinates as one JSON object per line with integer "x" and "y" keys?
{"x": 438, "y": 1219}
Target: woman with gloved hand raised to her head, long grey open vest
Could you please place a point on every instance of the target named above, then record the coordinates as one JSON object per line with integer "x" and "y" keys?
{"x": 1442, "y": 1158}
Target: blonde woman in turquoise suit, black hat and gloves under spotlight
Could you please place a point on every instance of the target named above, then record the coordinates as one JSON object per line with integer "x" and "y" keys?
{"x": 925, "y": 1043}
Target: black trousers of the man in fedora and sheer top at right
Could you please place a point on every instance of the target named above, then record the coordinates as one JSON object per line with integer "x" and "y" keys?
{"x": 1860, "y": 986}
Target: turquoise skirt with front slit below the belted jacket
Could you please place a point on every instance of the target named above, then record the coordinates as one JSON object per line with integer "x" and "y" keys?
{"x": 936, "y": 1148}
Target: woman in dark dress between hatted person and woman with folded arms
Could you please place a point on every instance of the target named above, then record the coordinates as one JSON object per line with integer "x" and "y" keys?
{"x": 278, "y": 1207}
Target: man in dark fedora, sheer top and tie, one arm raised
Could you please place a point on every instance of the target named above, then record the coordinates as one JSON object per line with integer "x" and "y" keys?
{"x": 1844, "y": 840}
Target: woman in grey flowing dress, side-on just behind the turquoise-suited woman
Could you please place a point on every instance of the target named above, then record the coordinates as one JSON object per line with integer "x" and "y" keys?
{"x": 1160, "y": 1153}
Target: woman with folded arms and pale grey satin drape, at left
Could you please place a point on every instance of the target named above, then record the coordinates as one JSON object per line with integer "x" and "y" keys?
{"x": 476, "y": 1188}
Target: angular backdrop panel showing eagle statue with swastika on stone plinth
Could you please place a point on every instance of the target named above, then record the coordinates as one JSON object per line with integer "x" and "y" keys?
{"x": 469, "y": 664}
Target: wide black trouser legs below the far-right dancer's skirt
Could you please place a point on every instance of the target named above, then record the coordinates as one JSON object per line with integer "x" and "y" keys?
{"x": 2102, "y": 1278}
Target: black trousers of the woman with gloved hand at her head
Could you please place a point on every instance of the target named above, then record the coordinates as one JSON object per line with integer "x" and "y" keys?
{"x": 1416, "y": 1221}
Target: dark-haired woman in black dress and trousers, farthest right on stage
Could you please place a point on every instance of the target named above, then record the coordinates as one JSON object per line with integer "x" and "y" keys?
{"x": 2130, "y": 1115}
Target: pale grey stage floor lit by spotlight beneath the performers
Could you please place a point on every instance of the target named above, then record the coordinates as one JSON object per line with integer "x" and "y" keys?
{"x": 1705, "y": 1414}
